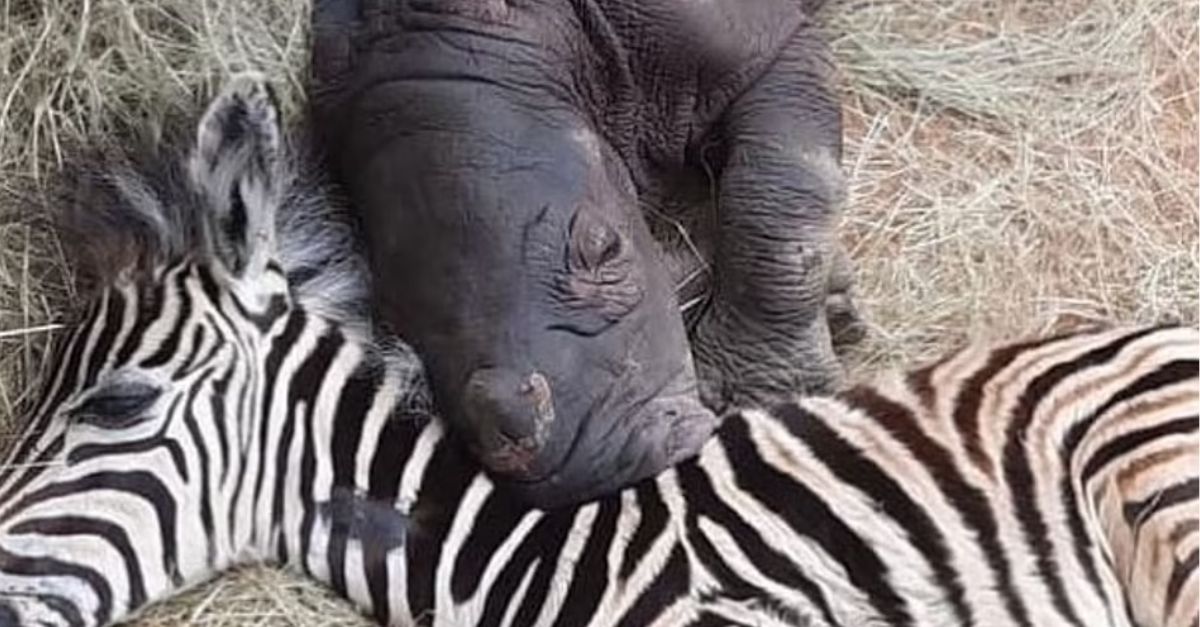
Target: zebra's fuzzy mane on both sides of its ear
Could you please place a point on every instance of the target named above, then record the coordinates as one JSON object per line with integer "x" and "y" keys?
{"x": 130, "y": 207}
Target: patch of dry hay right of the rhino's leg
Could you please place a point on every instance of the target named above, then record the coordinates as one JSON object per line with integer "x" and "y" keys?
{"x": 1019, "y": 166}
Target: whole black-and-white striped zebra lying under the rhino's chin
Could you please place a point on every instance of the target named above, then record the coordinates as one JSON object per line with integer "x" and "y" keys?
{"x": 227, "y": 405}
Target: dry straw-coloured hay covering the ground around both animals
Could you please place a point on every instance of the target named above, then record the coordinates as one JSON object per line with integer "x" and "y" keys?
{"x": 1013, "y": 168}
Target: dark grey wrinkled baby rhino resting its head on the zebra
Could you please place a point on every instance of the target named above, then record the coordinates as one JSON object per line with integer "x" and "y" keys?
{"x": 524, "y": 171}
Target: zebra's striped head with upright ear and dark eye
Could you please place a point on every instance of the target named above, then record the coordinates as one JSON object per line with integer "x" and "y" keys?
{"x": 125, "y": 483}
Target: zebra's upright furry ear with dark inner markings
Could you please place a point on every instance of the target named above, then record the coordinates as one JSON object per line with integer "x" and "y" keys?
{"x": 237, "y": 168}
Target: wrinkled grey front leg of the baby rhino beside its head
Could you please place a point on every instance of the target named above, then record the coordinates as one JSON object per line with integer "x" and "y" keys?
{"x": 779, "y": 278}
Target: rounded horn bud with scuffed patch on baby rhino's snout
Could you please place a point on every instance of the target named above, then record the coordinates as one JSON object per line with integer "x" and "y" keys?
{"x": 509, "y": 416}
